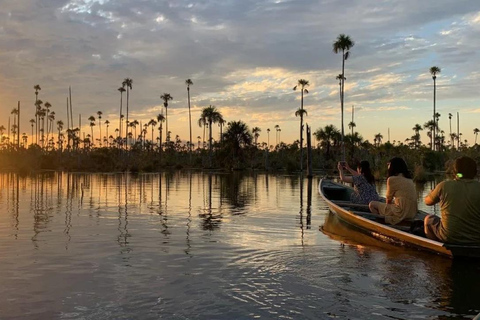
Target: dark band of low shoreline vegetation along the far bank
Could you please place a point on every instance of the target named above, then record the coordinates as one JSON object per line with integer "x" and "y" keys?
{"x": 228, "y": 156}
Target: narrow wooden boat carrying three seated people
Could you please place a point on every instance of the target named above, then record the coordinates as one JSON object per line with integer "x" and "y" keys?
{"x": 358, "y": 218}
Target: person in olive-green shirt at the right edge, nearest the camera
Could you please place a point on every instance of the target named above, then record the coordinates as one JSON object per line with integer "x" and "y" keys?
{"x": 459, "y": 205}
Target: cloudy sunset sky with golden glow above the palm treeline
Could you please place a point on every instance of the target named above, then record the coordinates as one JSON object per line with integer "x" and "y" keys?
{"x": 244, "y": 57}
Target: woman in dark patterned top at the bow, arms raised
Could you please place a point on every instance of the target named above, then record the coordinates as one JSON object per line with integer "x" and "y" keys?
{"x": 363, "y": 182}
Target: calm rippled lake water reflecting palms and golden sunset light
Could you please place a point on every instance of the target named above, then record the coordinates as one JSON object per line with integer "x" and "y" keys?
{"x": 189, "y": 245}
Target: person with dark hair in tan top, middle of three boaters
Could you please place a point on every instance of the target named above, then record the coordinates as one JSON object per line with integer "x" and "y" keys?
{"x": 401, "y": 197}
